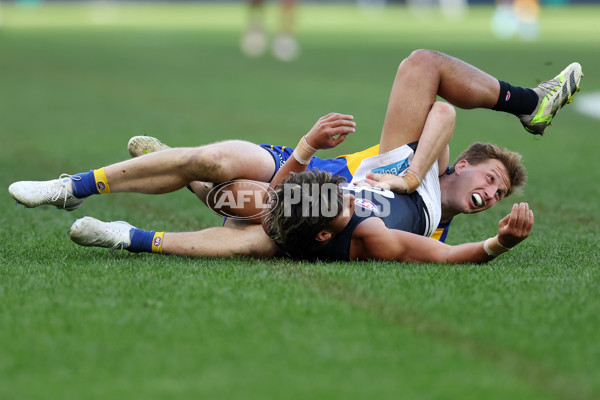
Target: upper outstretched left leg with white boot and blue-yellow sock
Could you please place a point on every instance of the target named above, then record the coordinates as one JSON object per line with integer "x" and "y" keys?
{"x": 161, "y": 172}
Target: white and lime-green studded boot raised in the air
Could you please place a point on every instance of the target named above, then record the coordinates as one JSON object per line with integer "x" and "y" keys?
{"x": 553, "y": 95}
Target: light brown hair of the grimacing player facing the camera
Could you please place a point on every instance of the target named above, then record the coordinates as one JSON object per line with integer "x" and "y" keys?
{"x": 481, "y": 152}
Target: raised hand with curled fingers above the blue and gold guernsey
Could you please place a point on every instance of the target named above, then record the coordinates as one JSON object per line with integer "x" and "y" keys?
{"x": 330, "y": 130}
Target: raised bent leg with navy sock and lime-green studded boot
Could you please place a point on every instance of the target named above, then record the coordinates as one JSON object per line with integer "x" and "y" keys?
{"x": 425, "y": 74}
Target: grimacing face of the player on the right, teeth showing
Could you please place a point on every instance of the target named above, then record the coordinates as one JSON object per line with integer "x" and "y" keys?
{"x": 481, "y": 186}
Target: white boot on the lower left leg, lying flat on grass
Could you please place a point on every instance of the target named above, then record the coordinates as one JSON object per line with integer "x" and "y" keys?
{"x": 88, "y": 231}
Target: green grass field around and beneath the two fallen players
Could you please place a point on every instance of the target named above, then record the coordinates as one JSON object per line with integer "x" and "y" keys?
{"x": 78, "y": 323}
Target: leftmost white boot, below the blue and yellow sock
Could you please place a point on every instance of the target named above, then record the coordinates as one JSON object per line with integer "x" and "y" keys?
{"x": 57, "y": 192}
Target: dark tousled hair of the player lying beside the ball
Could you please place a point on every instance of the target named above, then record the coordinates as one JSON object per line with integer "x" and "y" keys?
{"x": 287, "y": 224}
